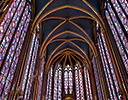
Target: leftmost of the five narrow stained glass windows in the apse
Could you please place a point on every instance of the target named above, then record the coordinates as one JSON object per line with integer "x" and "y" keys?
{"x": 49, "y": 85}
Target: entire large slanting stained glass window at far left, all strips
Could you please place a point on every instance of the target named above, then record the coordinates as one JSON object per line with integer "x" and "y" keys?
{"x": 13, "y": 30}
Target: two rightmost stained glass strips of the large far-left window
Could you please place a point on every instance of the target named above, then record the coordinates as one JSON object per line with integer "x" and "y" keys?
{"x": 12, "y": 58}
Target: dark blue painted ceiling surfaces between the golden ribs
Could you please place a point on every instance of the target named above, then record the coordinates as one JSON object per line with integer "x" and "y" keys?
{"x": 85, "y": 23}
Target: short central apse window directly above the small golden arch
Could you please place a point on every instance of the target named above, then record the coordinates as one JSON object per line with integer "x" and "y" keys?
{"x": 68, "y": 81}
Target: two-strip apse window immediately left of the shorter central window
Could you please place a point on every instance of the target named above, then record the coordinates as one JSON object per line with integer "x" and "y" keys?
{"x": 58, "y": 84}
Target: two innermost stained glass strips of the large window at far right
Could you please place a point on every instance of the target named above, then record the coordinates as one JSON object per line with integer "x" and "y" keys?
{"x": 117, "y": 38}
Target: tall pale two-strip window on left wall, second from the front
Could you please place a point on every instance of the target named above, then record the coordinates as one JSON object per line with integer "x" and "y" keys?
{"x": 30, "y": 64}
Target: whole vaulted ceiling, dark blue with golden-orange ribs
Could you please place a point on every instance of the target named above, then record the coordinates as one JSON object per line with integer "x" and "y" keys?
{"x": 67, "y": 29}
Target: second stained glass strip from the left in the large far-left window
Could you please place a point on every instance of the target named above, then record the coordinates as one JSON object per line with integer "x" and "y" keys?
{"x": 11, "y": 30}
